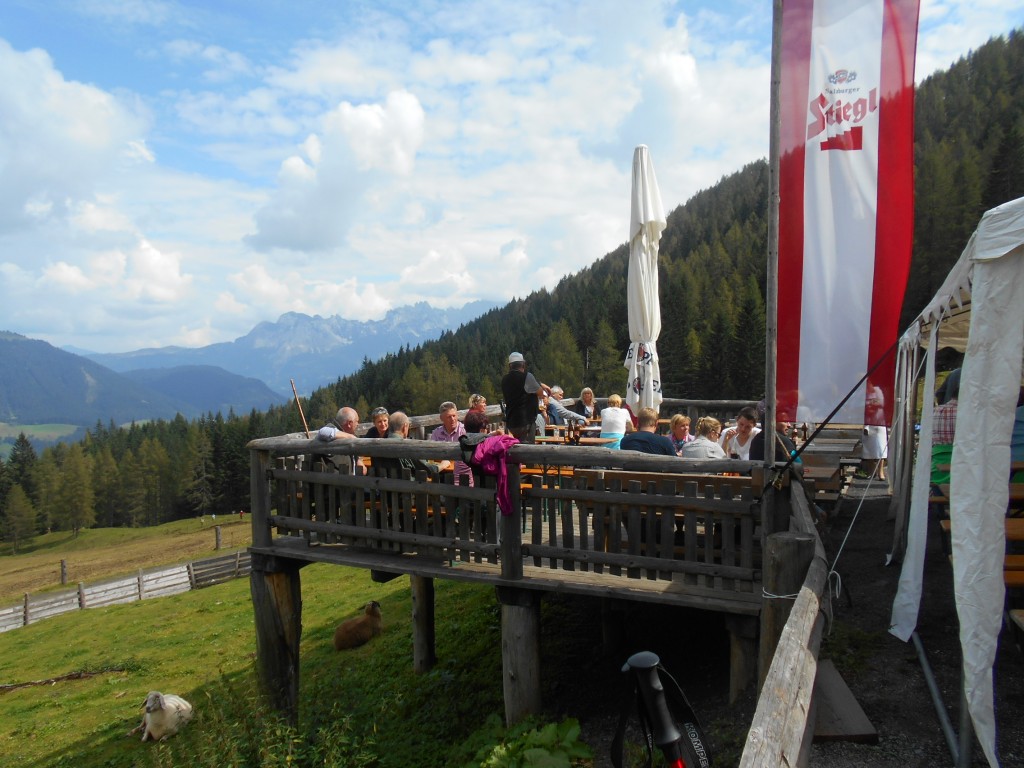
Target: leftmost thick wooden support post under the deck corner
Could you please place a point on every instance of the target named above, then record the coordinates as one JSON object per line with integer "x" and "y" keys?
{"x": 278, "y": 607}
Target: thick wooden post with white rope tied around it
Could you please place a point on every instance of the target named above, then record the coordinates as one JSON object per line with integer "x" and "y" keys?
{"x": 787, "y": 559}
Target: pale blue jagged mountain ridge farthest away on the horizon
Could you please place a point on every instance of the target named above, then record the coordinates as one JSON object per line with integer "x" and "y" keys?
{"x": 313, "y": 351}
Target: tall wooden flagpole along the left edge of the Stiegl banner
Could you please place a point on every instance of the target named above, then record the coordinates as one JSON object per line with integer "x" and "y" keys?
{"x": 772, "y": 301}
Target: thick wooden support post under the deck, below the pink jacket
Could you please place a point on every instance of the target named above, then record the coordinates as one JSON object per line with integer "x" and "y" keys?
{"x": 521, "y": 653}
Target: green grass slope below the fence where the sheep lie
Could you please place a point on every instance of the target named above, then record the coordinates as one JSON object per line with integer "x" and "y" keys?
{"x": 201, "y": 646}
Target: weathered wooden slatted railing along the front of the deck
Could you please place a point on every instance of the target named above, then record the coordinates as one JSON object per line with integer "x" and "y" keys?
{"x": 565, "y": 519}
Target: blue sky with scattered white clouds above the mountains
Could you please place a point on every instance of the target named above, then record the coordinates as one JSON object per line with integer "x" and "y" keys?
{"x": 176, "y": 173}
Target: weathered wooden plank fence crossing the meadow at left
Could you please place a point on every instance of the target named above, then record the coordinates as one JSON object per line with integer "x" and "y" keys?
{"x": 161, "y": 582}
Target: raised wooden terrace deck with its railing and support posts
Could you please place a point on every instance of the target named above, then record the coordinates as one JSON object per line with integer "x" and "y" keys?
{"x": 582, "y": 521}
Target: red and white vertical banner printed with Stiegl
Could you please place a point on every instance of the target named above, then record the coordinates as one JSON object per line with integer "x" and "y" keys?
{"x": 846, "y": 203}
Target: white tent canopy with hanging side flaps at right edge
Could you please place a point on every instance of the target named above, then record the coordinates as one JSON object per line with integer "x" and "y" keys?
{"x": 979, "y": 310}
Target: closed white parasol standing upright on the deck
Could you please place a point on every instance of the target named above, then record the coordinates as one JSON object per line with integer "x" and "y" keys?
{"x": 647, "y": 224}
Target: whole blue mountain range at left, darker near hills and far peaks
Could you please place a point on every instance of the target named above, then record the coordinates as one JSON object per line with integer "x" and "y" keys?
{"x": 41, "y": 385}
